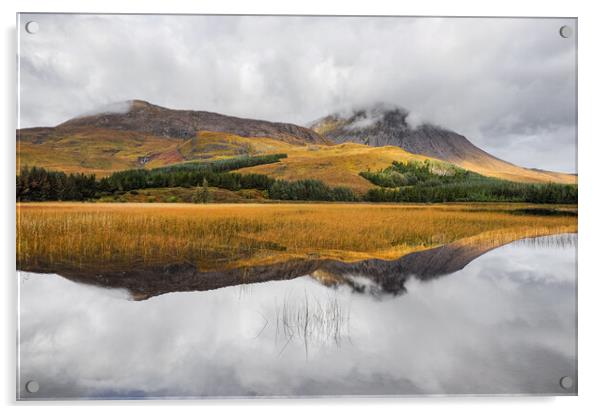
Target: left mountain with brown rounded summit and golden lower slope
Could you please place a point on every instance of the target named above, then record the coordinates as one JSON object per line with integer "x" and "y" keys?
{"x": 137, "y": 134}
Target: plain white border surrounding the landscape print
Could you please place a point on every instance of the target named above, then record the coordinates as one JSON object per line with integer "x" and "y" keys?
{"x": 589, "y": 149}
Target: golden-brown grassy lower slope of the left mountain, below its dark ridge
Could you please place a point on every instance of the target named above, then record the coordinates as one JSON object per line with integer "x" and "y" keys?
{"x": 102, "y": 151}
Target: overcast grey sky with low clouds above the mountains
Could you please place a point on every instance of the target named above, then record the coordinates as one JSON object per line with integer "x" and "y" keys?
{"x": 508, "y": 85}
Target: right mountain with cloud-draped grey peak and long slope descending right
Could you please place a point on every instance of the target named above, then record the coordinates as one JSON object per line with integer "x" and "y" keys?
{"x": 382, "y": 125}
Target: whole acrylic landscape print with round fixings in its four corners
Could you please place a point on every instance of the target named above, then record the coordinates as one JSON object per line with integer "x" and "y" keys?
{"x": 214, "y": 206}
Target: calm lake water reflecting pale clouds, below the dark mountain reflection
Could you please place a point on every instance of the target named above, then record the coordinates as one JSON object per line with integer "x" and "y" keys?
{"x": 504, "y": 324}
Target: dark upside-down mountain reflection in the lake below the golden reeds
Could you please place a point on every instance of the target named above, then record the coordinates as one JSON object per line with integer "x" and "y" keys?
{"x": 374, "y": 277}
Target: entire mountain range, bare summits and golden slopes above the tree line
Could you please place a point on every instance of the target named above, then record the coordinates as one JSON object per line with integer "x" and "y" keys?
{"x": 337, "y": 149}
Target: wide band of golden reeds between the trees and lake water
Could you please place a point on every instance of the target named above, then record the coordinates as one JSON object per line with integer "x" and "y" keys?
{"x": 219, "y": 236}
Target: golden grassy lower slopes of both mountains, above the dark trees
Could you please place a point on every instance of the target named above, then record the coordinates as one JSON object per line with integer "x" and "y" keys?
{"x": 102, "y": 151}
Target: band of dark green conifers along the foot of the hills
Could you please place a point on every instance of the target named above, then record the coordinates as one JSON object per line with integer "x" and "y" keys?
{"x": 401, "y": 182}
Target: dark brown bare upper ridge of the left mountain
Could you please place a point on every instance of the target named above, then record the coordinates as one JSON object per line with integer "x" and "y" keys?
{"x": 144, "y": 117}
